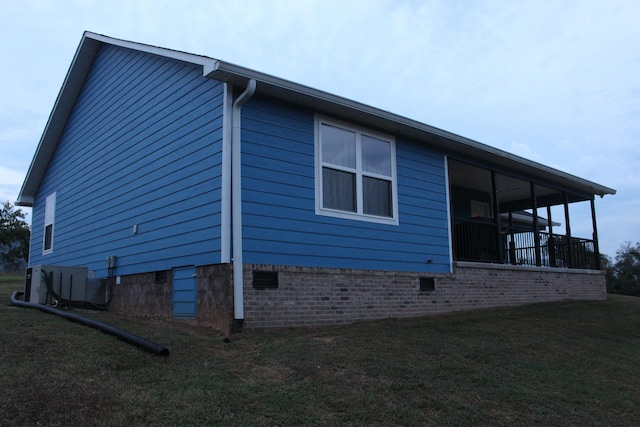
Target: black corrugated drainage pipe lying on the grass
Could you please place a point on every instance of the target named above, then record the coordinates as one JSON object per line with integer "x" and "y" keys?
{"x": 121, "y": 334}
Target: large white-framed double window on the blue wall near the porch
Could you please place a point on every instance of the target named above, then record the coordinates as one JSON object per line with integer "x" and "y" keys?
{"x": 355, "y": 173}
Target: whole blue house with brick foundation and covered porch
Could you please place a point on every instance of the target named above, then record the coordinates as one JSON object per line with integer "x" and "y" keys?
{"x": 199, "y": 189}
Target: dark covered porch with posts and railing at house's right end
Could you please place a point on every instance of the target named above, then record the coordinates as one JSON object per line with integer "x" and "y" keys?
{"x": 501, "y": 217}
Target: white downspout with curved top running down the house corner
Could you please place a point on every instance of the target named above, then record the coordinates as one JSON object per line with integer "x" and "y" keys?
{"x": 236, "y": 203}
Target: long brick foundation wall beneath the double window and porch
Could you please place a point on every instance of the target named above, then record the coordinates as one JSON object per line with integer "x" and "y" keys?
{"x": 320, "y": 296}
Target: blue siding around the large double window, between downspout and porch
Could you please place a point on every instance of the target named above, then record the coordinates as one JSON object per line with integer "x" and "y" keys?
{"x": 279, "y": 221}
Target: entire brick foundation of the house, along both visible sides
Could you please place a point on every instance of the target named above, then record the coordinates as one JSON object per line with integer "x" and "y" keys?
{"x": 325, "y": 296}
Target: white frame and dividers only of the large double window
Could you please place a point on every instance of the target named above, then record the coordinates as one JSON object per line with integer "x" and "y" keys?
{"x": 359, "y": 215}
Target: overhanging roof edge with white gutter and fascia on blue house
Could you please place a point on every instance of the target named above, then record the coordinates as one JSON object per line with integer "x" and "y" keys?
{"x": 289, "y": 91}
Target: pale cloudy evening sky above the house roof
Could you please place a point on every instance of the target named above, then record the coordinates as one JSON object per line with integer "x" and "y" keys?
{"x": 557, "y": 82}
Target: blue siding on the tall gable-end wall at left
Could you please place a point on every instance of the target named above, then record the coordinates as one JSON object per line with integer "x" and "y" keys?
{"x": 142, "y": 147}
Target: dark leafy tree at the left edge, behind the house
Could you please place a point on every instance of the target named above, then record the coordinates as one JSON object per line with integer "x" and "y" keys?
{"x": 14, "y": 237}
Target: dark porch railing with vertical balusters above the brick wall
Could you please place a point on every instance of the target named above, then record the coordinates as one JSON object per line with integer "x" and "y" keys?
{"x": 481, "y": 241}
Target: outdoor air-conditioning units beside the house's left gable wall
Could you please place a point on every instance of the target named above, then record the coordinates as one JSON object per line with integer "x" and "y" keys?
{"x": 69, "y": 283}
